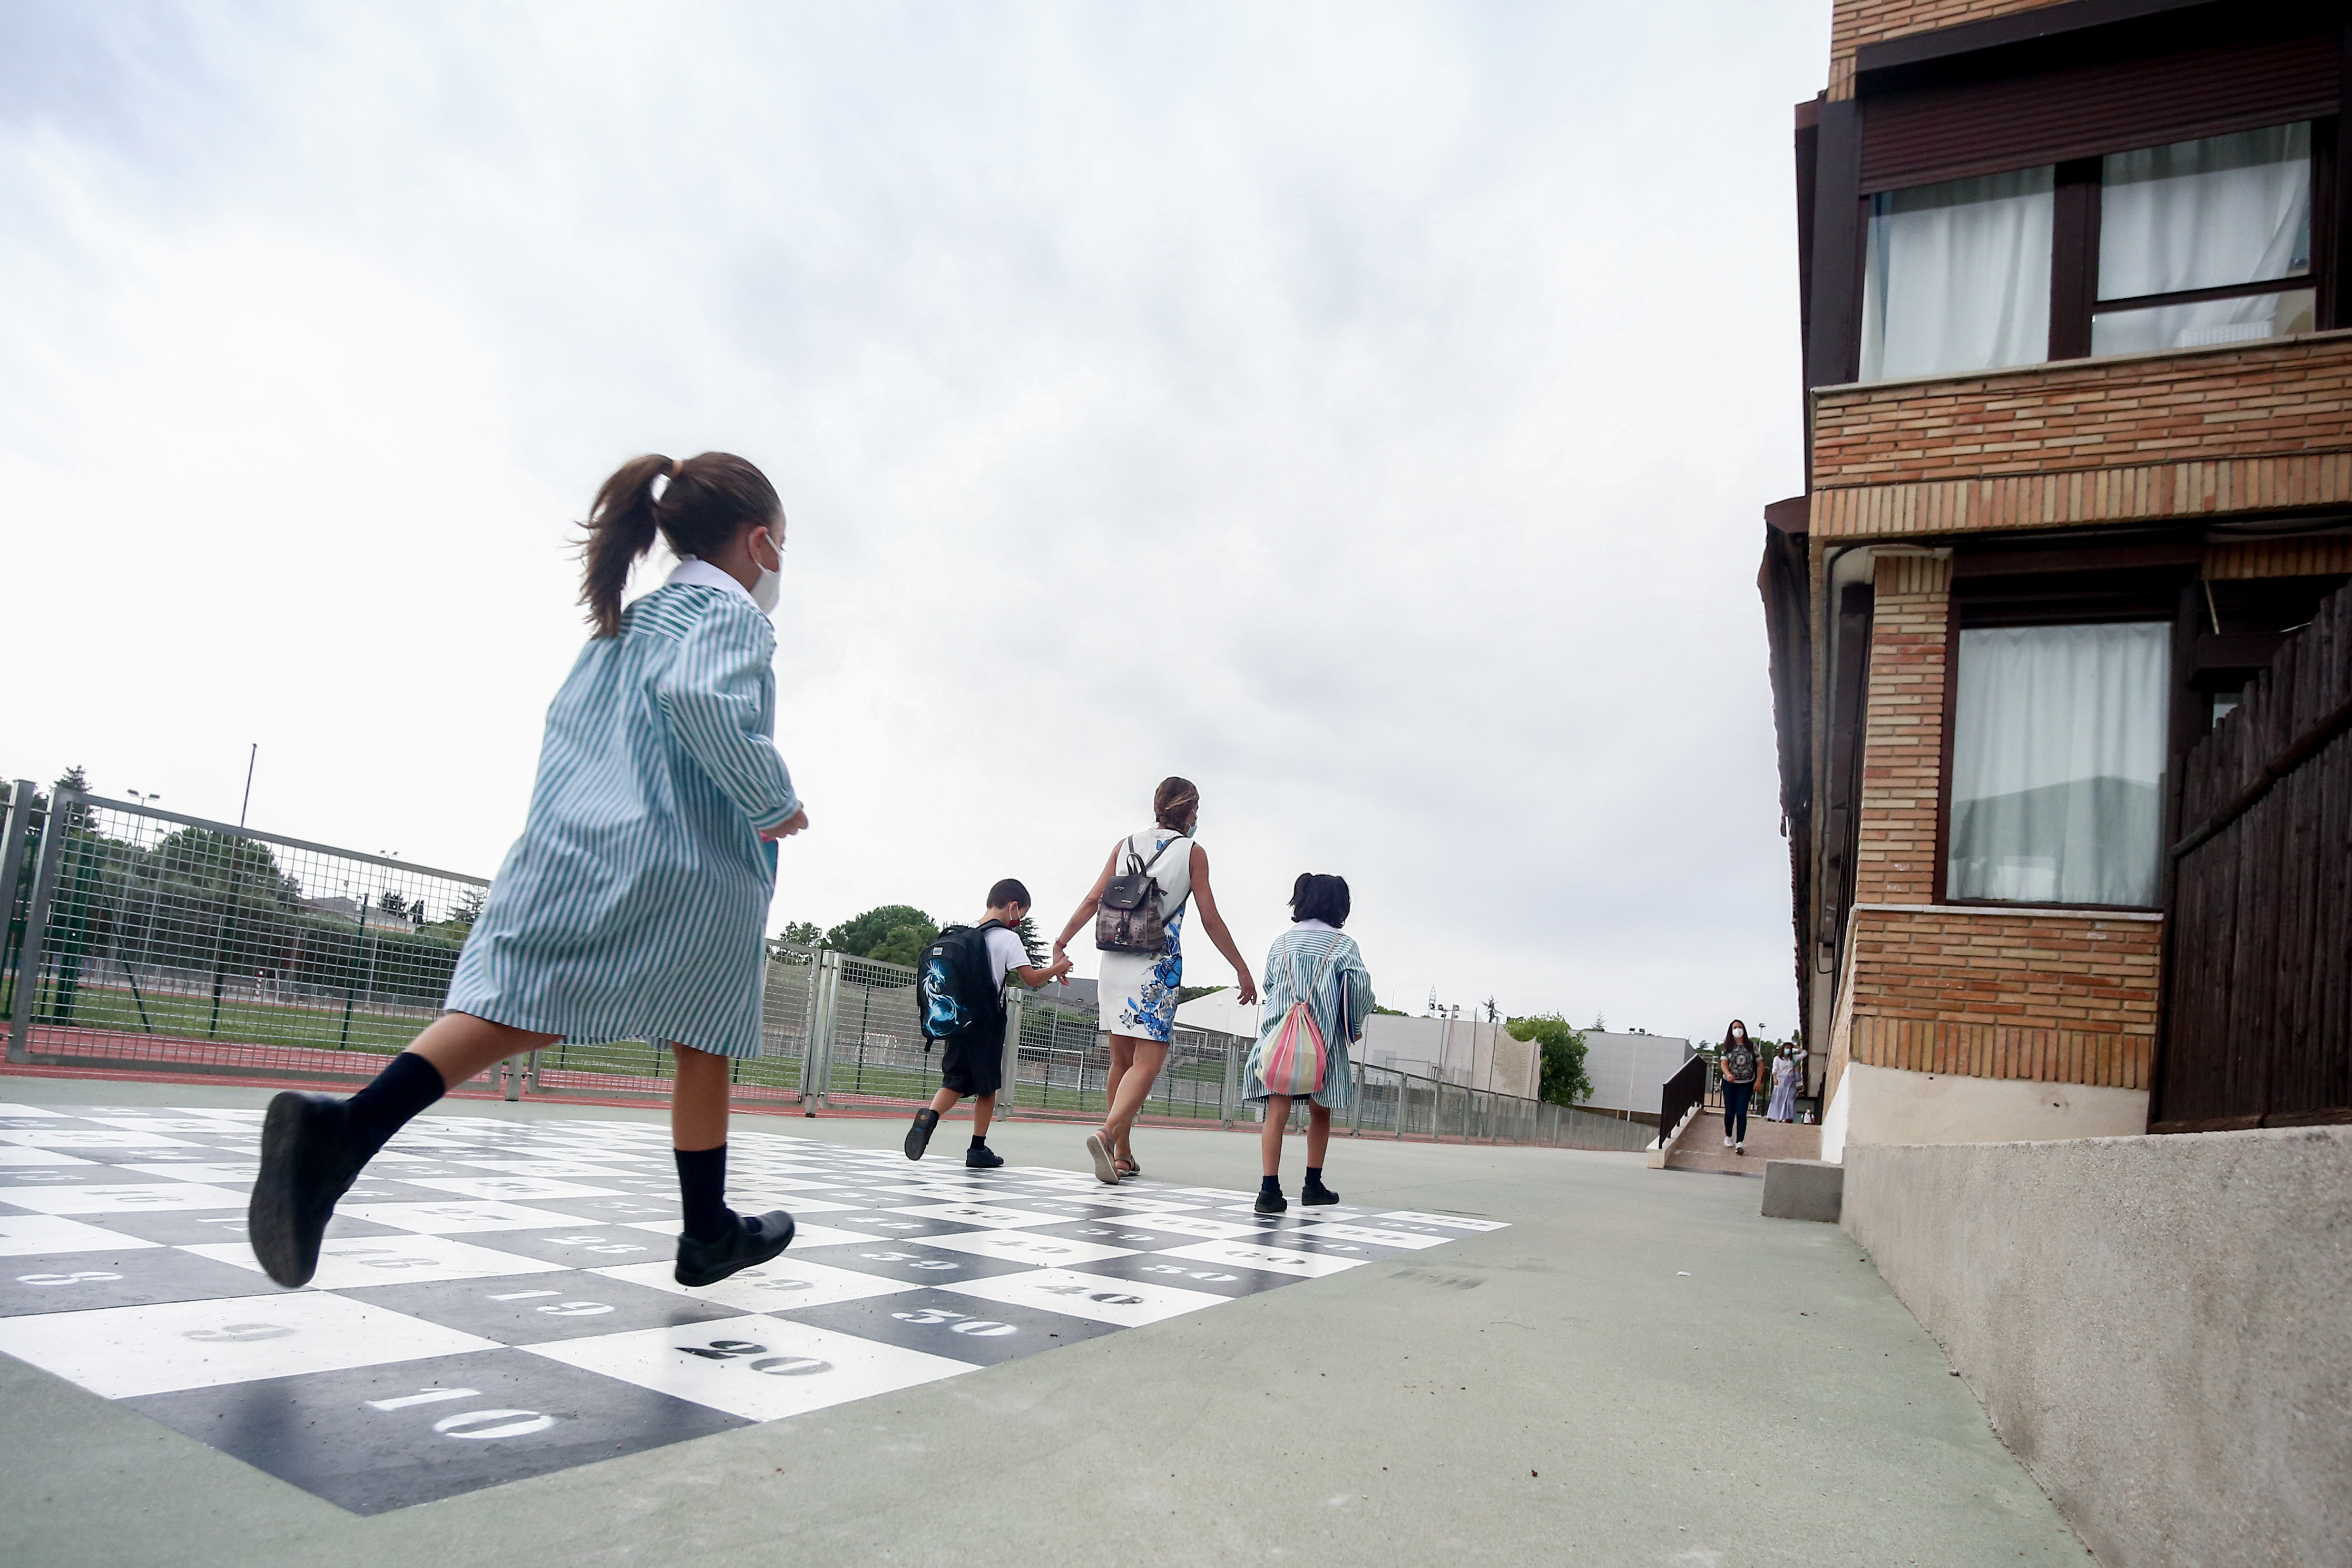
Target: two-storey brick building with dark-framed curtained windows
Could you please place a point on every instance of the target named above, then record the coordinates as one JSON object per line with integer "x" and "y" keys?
{"x": 2078, "y": 286}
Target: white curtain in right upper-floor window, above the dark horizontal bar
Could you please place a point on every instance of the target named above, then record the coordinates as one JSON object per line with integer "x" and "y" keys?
{"x": 2207, "y": 215}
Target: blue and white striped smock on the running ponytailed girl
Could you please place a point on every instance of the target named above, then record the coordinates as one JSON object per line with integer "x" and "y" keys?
{"x": 636, "y": 899}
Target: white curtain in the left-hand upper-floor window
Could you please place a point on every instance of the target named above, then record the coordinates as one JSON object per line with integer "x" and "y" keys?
{"x": 1958, "y": 276}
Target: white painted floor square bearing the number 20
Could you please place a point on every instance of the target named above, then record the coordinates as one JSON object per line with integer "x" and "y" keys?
{"x": 754, "y": 1367}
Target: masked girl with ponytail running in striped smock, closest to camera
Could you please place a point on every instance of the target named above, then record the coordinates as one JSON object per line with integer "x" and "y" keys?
{"x": 634, "y": 902}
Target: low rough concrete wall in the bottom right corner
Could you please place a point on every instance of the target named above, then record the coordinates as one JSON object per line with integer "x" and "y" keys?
{"x": 2153, "y": 1325}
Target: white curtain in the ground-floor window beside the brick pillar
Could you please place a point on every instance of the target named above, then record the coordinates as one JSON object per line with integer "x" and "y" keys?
{"x": 2059, "y": 763}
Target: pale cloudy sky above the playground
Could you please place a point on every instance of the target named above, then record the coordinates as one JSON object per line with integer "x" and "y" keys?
{"x": 1363, "y": 410}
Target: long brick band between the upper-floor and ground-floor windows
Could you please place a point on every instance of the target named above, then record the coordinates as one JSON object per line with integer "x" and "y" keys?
{"x": 2276, "y": 398}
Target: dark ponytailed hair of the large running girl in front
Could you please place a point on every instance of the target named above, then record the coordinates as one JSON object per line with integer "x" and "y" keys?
{"x": 700, "y": 511}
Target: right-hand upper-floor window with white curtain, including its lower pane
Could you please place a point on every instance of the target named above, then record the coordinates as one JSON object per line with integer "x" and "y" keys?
{"x": 2221, "y": 213}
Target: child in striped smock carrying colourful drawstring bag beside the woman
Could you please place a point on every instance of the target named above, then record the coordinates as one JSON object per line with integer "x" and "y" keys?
{"x": 1314, "y": 963}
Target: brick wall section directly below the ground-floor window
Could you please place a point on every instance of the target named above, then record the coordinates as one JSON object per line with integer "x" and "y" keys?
{"x": 2069, "y": 1000}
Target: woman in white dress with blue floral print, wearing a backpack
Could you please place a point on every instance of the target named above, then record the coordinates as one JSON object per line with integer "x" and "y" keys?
{"x": 1140, "y": 989}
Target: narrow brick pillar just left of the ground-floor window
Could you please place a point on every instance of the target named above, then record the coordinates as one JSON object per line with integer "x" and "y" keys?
{"x": 1904, "y": 732}
